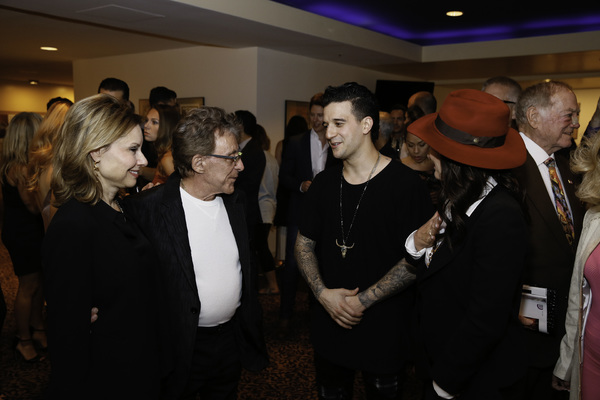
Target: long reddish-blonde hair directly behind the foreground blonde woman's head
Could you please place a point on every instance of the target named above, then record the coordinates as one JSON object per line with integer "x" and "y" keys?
{"x": 40, "y": 148}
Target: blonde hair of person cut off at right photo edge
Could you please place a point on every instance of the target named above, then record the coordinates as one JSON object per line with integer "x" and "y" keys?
{"x": 585, "y": 160}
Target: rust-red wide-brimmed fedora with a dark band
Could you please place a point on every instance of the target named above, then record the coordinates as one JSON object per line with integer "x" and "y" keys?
{"x": 472, "y": 128}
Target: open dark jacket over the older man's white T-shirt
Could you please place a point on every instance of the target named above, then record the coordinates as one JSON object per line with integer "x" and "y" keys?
{"x": 159, "y": 211}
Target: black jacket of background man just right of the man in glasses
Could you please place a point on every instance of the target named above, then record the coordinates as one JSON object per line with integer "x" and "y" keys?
{"x": 249, "y": 180}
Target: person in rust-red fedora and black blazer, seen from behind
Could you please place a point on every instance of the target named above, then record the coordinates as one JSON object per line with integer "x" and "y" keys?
{"x": 471, "y": 252}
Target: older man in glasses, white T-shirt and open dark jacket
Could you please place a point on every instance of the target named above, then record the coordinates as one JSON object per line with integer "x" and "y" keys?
{"x": 196, "y": 221}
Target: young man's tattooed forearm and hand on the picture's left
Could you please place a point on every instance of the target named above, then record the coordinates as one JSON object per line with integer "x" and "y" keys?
{"x": 333, "y": 300}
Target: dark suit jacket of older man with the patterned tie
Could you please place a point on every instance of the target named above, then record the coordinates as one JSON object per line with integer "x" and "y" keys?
{"x": 550, "y": 258}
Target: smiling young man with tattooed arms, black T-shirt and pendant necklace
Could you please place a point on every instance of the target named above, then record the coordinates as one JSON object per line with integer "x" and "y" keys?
{"x": 350, "y": 251}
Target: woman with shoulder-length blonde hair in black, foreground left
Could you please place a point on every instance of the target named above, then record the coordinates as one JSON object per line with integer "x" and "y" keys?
{"x": 96, "y": 257}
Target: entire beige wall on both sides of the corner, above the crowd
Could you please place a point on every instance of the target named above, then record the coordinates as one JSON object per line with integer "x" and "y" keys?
{"x": 254, "y": 79}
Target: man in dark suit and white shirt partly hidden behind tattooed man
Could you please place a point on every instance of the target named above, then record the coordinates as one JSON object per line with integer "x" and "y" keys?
{"x": 304, "y": 156}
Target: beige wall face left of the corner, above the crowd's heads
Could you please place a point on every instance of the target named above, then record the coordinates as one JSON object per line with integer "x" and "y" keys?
{"x": 224, "y": 77}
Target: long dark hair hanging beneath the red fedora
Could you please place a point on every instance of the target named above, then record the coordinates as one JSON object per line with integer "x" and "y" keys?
{"x": 461, "y": 186}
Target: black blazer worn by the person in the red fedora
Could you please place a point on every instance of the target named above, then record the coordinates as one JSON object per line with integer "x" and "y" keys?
{"x": 468, "y": 300}
